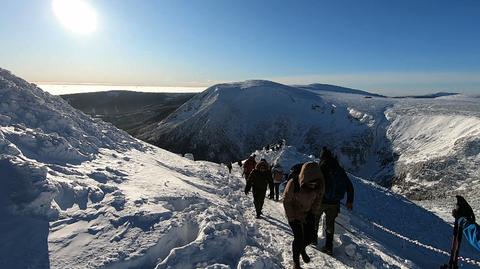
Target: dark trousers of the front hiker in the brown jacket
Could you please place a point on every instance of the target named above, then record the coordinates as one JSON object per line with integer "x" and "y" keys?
{"x": 303, "y": 234}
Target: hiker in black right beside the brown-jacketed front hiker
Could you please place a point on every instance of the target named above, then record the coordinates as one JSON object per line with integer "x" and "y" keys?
{"x": 337, "y": 183}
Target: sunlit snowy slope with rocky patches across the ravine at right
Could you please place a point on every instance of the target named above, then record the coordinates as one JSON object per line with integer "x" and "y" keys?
{"x": 438, "y": 144}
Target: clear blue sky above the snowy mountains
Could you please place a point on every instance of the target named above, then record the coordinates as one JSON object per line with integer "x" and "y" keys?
{"x": 389, "y": 47}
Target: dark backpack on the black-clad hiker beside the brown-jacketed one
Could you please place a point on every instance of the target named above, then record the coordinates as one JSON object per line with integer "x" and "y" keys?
{"x": 336, "y": 182}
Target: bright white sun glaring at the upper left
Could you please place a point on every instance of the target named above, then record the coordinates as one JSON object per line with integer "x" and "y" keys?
{"x": 76, "y": 15}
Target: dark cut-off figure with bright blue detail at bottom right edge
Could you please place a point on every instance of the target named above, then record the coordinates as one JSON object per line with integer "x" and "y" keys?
{"x": 464, "y": 223}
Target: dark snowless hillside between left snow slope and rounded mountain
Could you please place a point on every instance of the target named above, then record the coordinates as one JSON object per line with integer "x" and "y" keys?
{"x": 129, "y": 111}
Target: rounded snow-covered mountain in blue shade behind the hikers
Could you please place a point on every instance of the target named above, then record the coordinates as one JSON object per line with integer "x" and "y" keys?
{"x": 228, "y": 121}
